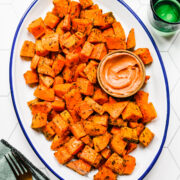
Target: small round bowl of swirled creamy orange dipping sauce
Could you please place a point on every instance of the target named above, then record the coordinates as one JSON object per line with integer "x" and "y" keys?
{"x": 121, "y": 74}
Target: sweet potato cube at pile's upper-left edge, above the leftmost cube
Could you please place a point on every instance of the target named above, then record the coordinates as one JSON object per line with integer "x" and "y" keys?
{"x": 37, "y": 28}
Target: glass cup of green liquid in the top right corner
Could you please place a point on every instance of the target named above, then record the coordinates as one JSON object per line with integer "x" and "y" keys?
{"x": 164, "y": 15}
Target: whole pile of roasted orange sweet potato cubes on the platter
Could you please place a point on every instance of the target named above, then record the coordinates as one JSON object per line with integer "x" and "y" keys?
{"x": 88, "y": 128}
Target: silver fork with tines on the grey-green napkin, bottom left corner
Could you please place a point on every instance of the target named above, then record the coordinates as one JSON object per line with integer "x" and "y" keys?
{"x": 19, "y": 169}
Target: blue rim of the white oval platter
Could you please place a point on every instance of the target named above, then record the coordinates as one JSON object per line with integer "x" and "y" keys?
{"x": 162, "y": 66}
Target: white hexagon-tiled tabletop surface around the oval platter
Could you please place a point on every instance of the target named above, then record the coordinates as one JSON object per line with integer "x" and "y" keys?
{"x": 168, "y": 164}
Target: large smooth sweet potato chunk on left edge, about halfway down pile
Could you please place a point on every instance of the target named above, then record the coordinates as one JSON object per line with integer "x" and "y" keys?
{"x": 46, "y": 94}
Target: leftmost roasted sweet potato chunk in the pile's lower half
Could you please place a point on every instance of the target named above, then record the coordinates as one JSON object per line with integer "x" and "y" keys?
{"x": 43, "y": 107}
